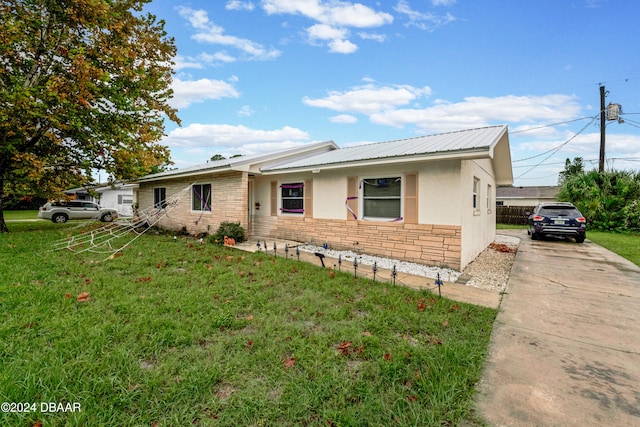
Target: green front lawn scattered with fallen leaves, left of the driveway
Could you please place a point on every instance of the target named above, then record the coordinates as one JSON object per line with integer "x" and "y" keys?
{"x": 175, "y": 332}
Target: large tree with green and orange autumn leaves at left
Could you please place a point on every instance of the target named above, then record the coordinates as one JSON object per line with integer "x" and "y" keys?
{"x": 84, "y": 86}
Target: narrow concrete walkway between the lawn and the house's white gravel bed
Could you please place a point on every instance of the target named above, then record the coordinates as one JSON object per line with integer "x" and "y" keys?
{"x": 454, "y": 291}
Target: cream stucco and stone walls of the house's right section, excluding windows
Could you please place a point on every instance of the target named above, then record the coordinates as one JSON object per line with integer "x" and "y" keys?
{"x": 445, "y": 214}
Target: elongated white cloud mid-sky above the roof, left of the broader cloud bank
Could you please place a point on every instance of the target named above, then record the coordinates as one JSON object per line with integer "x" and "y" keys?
{"x": 369, "y": 99}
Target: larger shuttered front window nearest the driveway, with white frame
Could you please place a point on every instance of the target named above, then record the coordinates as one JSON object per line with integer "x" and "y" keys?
{"x": 382, "y": 198}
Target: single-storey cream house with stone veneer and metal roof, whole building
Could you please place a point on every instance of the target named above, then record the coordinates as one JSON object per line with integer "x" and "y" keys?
{"x": 428, "y": 199}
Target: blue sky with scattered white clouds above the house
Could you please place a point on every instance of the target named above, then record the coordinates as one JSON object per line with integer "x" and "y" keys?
{"x": 259, "y": 75}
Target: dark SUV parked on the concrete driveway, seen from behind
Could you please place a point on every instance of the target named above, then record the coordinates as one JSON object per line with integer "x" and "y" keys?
{"x": 557, "y": 219}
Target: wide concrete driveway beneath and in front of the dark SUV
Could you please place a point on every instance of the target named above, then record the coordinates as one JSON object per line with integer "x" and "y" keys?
{"x": 565, "y": 350}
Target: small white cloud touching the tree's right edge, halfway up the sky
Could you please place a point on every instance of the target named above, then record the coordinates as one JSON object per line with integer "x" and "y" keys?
{"x": 187, "y": 92}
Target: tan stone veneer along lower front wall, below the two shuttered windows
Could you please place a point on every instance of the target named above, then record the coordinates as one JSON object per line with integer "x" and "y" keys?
{"x": 431, "y": 244}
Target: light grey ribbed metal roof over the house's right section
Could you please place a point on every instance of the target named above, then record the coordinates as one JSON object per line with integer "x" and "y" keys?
{"x": 481, "y": 139}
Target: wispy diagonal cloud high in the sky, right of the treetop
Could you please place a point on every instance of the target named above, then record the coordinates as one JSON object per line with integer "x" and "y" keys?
{"x": 208, "y": 32}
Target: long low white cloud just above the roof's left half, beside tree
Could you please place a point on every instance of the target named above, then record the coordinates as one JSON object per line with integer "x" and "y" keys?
{"x": 199, "y": 135}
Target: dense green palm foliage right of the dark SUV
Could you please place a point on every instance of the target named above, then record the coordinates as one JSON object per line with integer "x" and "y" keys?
{"x": 609, "y": 200}
